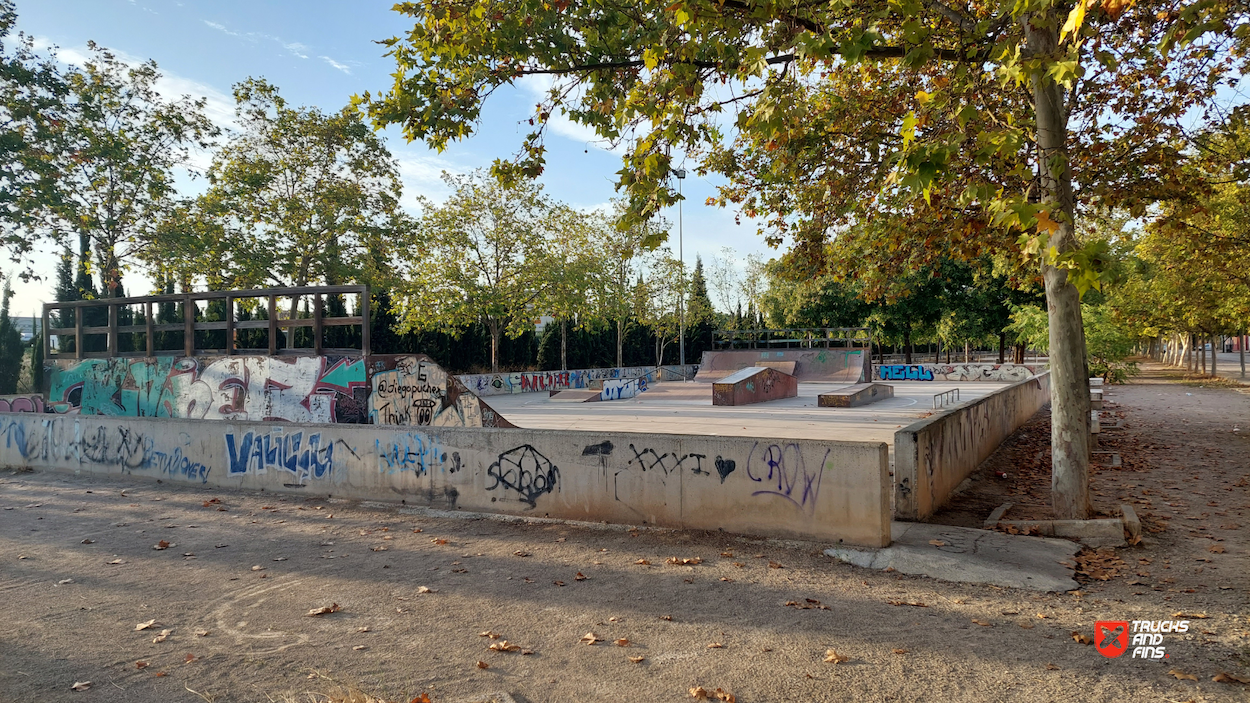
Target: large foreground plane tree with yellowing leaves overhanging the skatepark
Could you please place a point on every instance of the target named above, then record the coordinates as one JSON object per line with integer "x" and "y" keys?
{"x": 671, "y": 78}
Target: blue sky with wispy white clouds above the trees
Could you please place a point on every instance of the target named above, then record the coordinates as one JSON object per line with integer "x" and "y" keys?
{"x": 322, "y": 53}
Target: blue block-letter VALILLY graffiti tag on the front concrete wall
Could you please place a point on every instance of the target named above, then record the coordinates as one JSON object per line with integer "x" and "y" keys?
{"x": 302, "y": 455}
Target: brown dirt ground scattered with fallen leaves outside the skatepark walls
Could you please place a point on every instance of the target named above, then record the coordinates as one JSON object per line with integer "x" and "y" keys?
{"x": 79, "y": 574}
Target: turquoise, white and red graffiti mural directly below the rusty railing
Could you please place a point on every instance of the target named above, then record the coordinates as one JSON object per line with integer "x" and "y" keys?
{"x": 304, "y": 390}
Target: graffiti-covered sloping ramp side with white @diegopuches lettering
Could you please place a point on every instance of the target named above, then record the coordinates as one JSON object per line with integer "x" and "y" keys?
{"x": 417, "y": 392}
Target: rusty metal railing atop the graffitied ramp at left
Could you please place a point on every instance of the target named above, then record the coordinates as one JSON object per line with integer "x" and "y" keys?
{"x": 233, "y": 303}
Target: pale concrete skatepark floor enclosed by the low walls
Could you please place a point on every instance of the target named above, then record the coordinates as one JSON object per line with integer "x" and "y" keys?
{"x": 686, "y": 408}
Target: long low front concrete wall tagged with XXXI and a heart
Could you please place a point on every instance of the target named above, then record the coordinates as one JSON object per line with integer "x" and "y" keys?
{"x": 831, "y": 491}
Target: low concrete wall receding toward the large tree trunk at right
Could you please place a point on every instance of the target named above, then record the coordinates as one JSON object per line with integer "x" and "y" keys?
{"x": 934, "y": 456}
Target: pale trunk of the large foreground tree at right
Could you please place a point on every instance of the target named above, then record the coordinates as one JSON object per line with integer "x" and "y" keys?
{"x": 1069, "y": 373}
